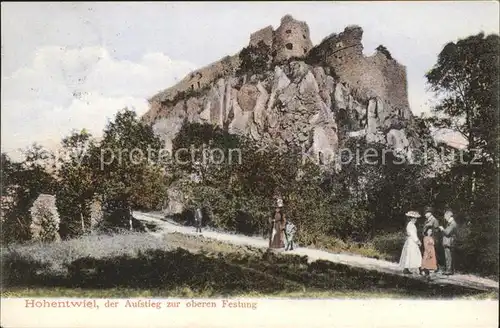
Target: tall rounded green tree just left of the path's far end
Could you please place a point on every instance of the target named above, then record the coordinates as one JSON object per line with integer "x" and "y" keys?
{"x": 129, "y": 166}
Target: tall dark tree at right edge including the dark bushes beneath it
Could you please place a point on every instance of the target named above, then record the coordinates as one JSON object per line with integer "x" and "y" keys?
{"x": 466, "y": 82}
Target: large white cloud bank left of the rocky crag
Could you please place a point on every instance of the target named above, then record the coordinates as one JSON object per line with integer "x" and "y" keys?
{"x": 74, "y": 88}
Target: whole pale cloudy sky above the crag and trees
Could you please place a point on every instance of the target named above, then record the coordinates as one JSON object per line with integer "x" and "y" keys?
{"x": 68, "y": 66}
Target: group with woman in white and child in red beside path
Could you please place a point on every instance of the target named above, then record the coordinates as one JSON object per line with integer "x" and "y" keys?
{"x": 438, "y": 243}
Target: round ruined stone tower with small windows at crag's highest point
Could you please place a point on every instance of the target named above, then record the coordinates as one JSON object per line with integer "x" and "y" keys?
{"x": 291, "y": 39}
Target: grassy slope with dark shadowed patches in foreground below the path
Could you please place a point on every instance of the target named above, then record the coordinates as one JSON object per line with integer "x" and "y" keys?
{"x": 141, "y": 265}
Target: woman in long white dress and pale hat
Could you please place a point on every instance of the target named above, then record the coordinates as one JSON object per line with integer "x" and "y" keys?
{"x": 411, "y": 257}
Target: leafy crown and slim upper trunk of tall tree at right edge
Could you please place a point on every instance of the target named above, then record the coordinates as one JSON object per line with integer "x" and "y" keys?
{"x": 465, "y": 80}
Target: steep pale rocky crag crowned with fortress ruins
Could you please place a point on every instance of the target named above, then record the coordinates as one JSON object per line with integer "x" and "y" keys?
{"x": 281, "y": 89}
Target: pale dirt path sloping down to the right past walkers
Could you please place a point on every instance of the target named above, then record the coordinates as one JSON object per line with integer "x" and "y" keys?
{"x": 164, "y": 227}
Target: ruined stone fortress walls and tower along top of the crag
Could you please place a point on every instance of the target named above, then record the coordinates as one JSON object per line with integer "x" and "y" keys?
{"x": 370, "y": 77}
